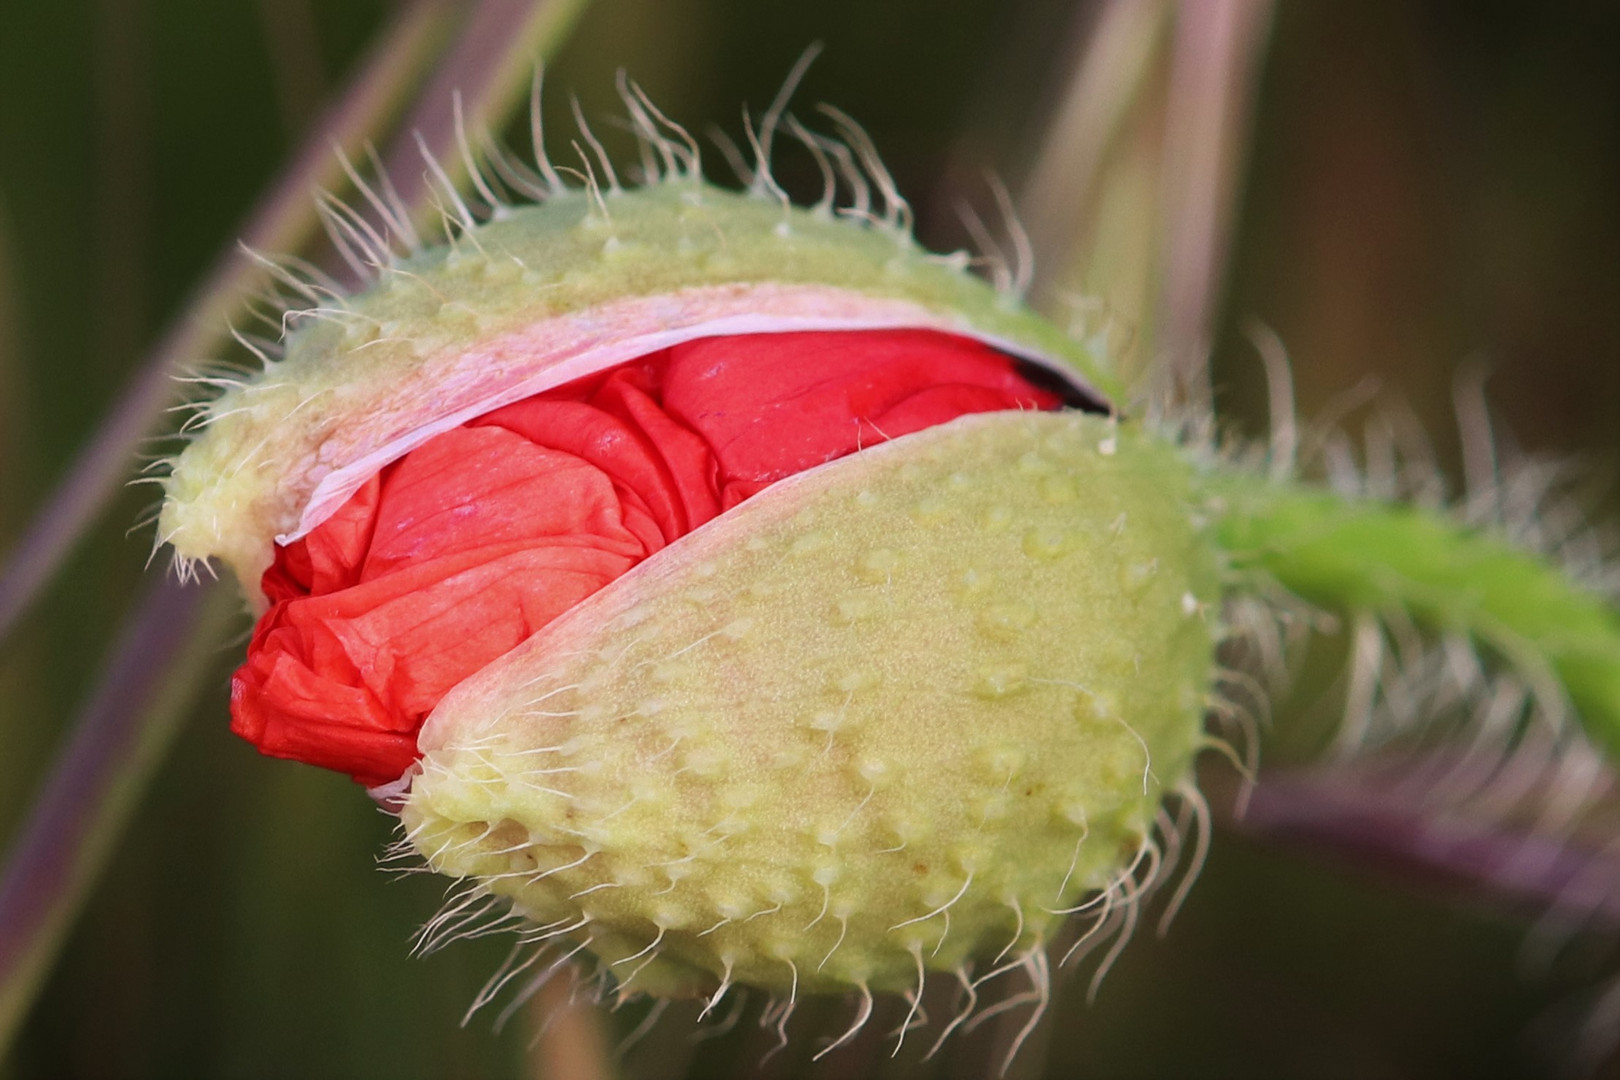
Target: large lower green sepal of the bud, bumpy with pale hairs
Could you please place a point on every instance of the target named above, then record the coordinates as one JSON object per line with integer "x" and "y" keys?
{"x": 898, "y": 710}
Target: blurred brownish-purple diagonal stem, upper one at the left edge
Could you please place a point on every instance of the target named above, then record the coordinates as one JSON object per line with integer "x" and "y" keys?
{"x": 286, "y": 221}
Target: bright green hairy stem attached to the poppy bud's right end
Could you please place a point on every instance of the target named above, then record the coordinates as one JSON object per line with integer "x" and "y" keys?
{"x": 1379, "y": 558}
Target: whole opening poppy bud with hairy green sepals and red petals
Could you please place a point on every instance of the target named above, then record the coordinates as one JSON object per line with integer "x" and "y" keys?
{"x": 722, "y": 582}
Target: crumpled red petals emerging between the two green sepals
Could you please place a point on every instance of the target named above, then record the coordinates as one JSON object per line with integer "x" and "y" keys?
{"x": 479, "y": 538}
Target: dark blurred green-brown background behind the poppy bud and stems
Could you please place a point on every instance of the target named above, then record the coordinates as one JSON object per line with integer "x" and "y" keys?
{"x": 1430, "y": 185}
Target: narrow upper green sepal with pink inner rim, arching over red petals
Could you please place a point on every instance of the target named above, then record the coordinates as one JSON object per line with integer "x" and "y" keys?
{"x": 537, "y": 299}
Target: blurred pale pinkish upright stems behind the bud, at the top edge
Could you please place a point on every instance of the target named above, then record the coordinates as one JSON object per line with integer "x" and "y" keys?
{"x": 1135, "y": 184}
